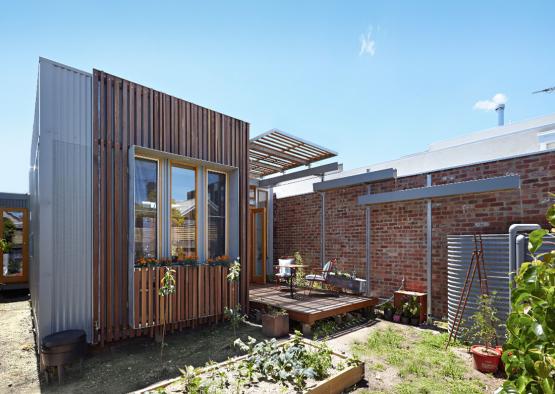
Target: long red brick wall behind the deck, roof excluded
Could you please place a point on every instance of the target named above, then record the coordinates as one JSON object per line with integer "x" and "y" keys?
{"x": 398, "y": 230}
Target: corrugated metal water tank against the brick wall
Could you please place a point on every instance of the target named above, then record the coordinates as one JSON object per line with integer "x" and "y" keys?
{"x": 496, "y": 257}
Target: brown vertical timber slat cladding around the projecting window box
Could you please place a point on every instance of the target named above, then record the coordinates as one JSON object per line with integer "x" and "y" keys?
{"x": 127, "y": 114}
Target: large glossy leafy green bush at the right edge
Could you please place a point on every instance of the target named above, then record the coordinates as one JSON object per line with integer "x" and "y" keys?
{"x": 529, "y": 353}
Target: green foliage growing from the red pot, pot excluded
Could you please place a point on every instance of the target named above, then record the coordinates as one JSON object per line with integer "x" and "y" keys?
{"x": 485, "y": 321}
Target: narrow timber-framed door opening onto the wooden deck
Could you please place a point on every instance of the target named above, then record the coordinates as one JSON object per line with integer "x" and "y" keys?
{"x": 258, "y": 245}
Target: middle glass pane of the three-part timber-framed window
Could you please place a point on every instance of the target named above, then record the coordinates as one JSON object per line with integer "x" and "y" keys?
{"x": 183, "y": 223}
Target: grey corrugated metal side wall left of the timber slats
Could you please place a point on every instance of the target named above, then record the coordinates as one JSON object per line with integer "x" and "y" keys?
{"x": 61, "y": 185}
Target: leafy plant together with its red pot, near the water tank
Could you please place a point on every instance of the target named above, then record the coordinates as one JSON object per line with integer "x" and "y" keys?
{"x": 486, "y": 355}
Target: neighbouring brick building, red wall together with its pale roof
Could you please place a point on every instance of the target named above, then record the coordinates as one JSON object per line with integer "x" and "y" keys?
{"x": 397, "y": 231}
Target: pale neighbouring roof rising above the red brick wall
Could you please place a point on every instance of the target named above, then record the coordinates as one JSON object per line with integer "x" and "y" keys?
{"x": 502, "y": 142}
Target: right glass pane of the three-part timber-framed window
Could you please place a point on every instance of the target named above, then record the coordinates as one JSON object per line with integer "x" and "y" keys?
{"x": 216, "y": 214}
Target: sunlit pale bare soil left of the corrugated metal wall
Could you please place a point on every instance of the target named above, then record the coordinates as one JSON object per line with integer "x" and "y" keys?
{"x": 18, "y": 361}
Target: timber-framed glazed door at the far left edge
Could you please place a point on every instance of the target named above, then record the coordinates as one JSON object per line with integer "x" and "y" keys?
{"x": 14, "y": 250}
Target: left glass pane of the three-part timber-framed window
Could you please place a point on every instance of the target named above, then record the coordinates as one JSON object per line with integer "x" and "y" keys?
{"x": 146, "y": 208}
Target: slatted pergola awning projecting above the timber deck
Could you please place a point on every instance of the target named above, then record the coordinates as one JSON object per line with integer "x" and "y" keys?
{"x": 277, "y": 151}
